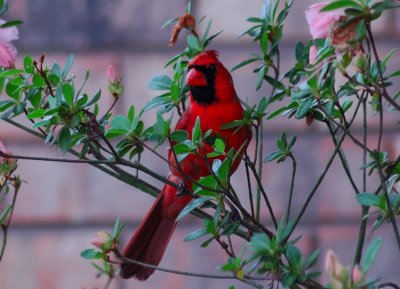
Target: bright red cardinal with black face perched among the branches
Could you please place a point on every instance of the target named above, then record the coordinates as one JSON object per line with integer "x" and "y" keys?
{"x": 213, "y": 99}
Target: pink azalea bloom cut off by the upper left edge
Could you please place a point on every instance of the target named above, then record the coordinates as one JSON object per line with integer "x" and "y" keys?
{"x": 8, "y": 53}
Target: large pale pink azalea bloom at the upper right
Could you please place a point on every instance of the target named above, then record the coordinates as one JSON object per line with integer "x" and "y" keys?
{"x": 321, "y": 22}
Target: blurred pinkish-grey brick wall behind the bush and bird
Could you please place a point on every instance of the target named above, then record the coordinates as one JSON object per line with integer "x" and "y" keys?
{"x": 62, "y": 206}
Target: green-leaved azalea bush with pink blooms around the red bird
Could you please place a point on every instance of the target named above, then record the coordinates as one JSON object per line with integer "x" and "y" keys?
{"x": 338, "y": 75}
